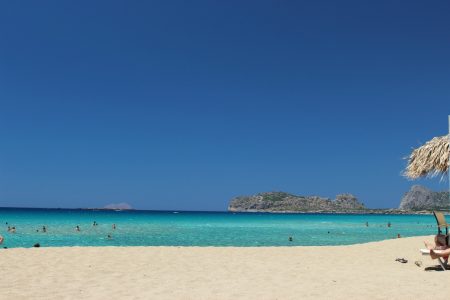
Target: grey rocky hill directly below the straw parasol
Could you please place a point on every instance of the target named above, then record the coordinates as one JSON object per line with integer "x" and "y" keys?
{"x": 419, "y": 197}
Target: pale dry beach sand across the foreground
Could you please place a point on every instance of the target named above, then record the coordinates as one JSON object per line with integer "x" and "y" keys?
{"x": 365, "y": 271}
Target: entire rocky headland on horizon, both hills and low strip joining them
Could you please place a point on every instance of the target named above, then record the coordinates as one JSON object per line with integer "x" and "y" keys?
{"x": 418, "y": 200}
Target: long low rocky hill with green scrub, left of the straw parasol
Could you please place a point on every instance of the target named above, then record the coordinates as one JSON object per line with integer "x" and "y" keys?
{"x": 280, "y": 202}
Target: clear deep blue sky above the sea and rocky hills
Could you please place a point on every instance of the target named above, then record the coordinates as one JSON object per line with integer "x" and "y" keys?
{"x": 185, "y": 104}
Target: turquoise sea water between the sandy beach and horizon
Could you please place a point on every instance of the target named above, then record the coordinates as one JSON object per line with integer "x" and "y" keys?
{"x": 150, "y": 228}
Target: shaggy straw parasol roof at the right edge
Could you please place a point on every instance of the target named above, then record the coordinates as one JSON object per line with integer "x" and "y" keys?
{"x": 429, "y": 160}
